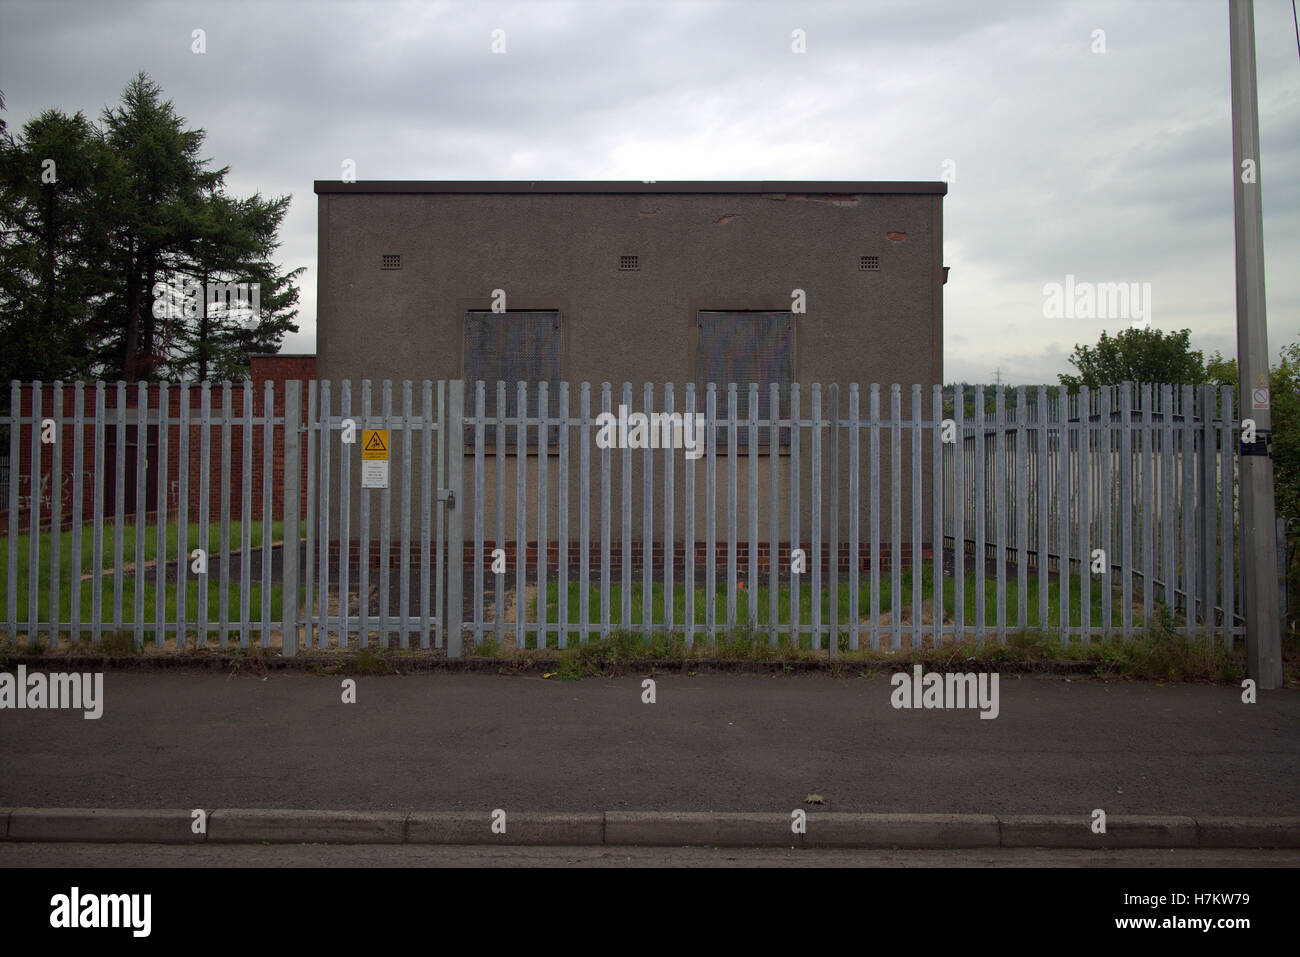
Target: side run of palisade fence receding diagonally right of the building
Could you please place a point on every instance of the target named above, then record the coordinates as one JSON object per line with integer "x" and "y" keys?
{"x": 1156, "y": 465}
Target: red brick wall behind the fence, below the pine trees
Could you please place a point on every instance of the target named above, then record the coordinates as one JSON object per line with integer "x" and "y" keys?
{"x": 265, "y": 369}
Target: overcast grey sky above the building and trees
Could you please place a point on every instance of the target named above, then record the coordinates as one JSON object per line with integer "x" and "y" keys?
{"x": 1111, "y": 167}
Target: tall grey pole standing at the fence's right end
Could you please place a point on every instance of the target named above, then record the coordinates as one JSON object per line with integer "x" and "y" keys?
{"x": 1259, "y": 545}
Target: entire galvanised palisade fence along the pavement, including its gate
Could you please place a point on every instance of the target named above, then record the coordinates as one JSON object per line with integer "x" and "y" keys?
{"x": 822, "y": 513}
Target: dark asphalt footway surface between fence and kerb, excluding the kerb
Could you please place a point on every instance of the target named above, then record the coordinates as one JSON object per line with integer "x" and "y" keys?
{"x": 454, "y": 742}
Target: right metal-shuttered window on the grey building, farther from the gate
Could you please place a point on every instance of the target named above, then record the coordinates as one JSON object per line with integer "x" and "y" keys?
{"x": 743, "y": 348}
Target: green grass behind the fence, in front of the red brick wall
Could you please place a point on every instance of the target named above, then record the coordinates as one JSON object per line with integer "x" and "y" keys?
{"x": 129, "y": 579}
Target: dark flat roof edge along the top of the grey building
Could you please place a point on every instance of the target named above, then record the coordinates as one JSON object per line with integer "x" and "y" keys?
{"x": 608, "y": 187}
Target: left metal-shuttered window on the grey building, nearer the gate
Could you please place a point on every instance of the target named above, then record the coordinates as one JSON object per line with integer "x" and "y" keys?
{"x": 514, "y": 347}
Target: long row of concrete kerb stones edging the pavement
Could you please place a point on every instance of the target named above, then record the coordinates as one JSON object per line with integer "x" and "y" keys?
{"x": 647, "y": 829}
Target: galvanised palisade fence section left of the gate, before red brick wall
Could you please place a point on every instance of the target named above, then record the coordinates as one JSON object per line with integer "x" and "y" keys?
{"x": 79, "y": 457}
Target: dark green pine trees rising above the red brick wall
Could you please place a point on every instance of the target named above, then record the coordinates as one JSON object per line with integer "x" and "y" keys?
{"x": 133, "y": 205}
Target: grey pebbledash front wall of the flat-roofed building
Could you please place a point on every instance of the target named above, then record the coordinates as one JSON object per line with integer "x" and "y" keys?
{"x": 868, "y": 256}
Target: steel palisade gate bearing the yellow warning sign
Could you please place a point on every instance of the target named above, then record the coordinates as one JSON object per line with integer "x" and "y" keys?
{"x": 415, "y": 543}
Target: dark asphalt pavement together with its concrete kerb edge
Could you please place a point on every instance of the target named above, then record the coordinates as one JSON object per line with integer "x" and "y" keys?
{"x": 717, "y": 760}
